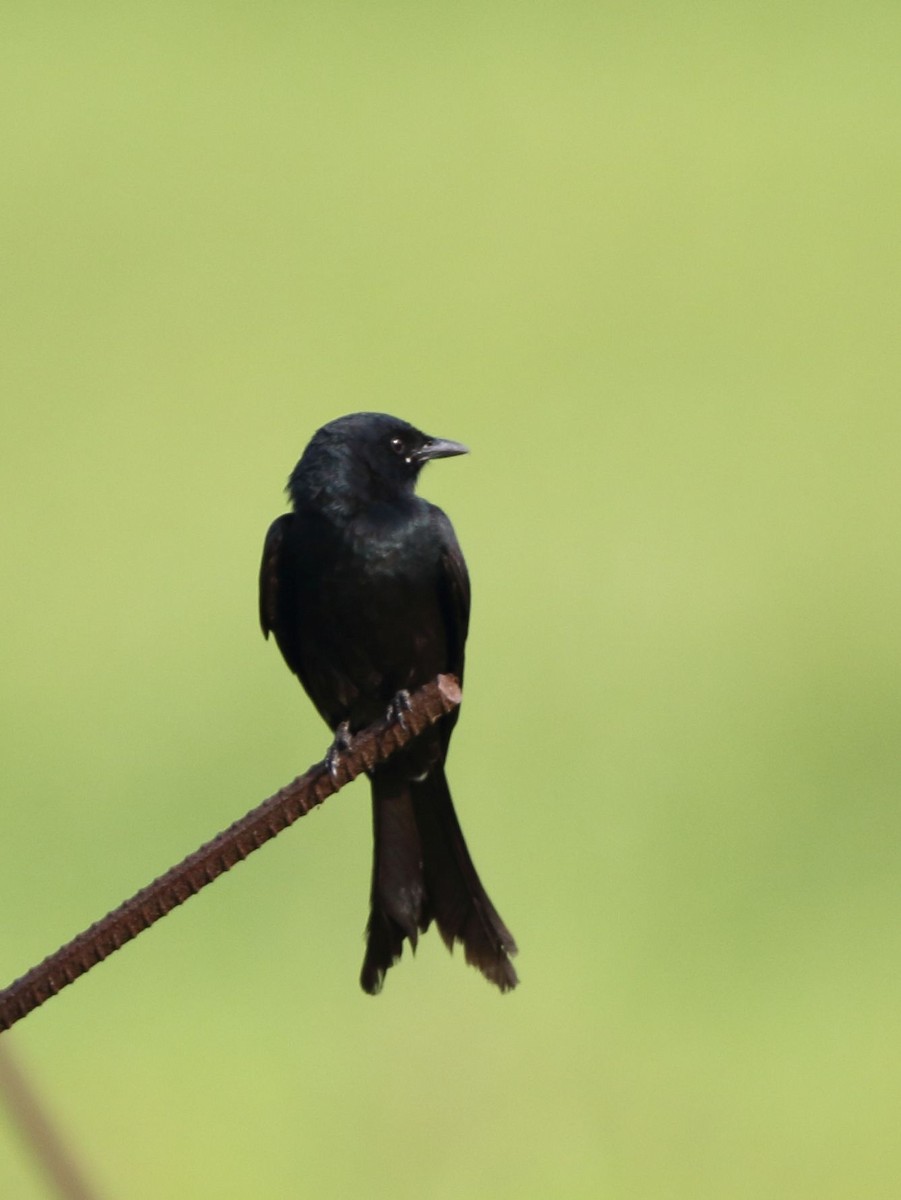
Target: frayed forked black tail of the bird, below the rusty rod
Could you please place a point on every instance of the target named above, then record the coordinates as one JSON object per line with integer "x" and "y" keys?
{"x": 423, "y": 872}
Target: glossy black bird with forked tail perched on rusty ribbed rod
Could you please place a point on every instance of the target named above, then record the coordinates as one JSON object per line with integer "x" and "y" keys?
{"x": 368, "y": 595}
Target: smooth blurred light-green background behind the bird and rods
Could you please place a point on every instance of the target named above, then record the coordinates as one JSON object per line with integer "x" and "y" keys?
{"x": 646, "y": 262}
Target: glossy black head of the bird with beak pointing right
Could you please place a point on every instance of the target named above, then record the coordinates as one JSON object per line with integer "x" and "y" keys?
{"x": 363, "y": 459}
